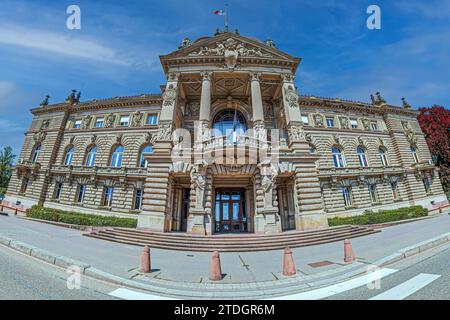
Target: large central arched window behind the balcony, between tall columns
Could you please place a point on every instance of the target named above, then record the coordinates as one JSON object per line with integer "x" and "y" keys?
{"x": 230, "y": 123}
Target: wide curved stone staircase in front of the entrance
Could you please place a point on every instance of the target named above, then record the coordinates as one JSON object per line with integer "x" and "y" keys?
{"x": 229, "y": 243}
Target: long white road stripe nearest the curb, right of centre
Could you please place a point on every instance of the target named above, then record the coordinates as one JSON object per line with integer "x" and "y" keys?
{"x": 339, "y": 287}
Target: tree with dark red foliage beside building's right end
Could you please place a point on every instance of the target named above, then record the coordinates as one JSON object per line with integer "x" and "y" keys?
{"x": 435, "y": 123}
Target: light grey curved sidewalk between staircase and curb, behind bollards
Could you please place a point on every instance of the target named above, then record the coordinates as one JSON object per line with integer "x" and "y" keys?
{"x": 123, "y": 260}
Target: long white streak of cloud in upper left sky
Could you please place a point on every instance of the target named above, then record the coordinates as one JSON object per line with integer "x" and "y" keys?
{"x": 59, "y": 44}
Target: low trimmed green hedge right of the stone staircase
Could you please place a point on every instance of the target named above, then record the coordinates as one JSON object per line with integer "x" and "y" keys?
{"x": 370, "y": 217}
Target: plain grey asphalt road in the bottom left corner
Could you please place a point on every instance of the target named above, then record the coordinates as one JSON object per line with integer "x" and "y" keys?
{"x": 25, "y": 278}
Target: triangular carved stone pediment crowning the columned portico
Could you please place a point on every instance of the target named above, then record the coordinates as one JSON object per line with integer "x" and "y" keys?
{"x": 229, "y": 43}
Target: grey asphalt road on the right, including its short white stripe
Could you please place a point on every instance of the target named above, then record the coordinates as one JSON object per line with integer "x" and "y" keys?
{"x": 425, "y": 276}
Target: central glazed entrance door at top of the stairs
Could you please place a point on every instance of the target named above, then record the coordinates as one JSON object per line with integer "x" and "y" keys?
{"x": 230, "y": 212}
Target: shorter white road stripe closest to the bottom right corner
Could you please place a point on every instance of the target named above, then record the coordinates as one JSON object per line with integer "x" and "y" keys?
{"x": 407, "y": 288}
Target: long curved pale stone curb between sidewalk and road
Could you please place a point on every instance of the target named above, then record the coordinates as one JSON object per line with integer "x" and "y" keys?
{"x": 259, "y": 291}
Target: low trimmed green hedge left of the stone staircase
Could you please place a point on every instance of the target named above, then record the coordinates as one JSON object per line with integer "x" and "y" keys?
{"x": 49, "y": 214}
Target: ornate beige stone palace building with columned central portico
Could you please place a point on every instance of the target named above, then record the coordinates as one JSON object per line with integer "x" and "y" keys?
{"x": 123, "y": 156}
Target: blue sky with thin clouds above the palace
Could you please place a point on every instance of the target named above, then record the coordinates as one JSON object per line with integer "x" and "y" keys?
{"x": 116, "y": 51}
